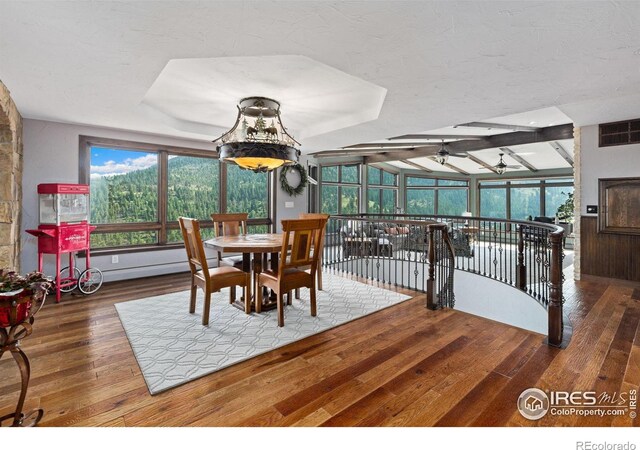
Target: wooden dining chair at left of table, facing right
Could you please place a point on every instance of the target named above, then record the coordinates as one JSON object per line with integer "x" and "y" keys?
{"x": 210, "y": 280}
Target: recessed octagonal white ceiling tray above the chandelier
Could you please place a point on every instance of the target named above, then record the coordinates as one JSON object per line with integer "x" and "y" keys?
{"x": 201, "y": 94}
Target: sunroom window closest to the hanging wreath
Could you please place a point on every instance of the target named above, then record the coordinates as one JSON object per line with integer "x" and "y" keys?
{"x": 340, "y": 189}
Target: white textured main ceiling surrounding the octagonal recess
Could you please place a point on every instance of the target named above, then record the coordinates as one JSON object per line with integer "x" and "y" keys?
{"x": 442, "y": 63}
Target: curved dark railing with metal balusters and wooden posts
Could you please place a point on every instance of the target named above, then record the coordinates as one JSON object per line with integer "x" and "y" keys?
{"x": 524, "y": 254}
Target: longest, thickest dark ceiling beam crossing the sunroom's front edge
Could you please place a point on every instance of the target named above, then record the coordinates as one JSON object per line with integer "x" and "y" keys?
{"x": 547, "y": 134}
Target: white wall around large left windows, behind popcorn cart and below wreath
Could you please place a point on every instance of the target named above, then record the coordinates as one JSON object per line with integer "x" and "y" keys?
{"x": 51, "y": 152}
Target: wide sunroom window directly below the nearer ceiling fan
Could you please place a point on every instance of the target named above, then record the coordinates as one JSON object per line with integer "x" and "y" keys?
{"x": 432, "y": 196}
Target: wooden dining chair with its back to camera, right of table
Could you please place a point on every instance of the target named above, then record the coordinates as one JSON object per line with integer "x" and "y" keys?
{"x": 303, "y": 235}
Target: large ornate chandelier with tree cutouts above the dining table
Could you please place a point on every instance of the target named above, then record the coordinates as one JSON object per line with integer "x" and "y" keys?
{"x": 258, "y": 141}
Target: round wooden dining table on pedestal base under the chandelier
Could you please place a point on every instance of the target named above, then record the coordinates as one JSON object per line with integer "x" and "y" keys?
{"x": 260, "y": 245}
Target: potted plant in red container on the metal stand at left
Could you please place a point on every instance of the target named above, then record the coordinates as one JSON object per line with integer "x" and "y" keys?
{"x": 18, "y": 293}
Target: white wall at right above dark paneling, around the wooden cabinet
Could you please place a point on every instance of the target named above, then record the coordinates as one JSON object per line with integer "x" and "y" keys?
{"x": 606, "y": 162}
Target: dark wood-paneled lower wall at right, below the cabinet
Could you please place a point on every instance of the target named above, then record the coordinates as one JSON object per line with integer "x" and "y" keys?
{"x": 608, "y": 255}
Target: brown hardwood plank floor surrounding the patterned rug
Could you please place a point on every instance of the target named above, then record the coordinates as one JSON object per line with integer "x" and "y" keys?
{"x": 403, "y": 366}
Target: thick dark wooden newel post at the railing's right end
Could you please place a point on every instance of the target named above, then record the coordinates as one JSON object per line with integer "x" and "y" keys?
{"x": 555, "y": 290}
